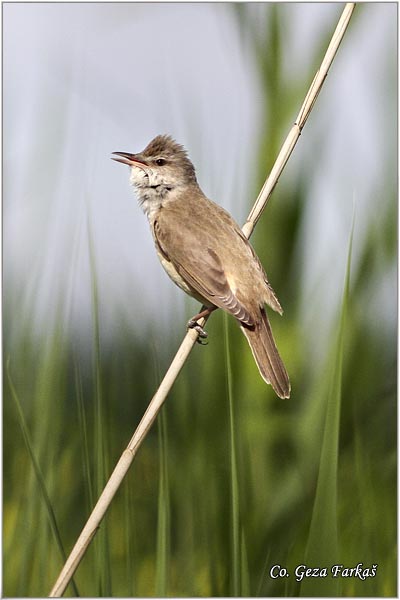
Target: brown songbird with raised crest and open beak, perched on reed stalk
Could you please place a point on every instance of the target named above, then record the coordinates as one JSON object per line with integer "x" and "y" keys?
{"x": 204, "y": 251}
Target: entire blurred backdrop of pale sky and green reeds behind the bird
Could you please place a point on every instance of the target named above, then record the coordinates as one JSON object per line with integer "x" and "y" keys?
{"x": 231, "y": 480}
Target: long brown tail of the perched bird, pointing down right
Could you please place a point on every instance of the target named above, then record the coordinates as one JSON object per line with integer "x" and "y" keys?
{"x": 266, "y": 355}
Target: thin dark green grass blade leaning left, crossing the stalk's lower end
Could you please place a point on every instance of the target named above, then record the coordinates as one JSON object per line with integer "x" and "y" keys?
{"x": 38, "y": 473}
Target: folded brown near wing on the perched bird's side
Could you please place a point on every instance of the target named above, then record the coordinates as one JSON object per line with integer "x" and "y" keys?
{"x": 200, "y": 266}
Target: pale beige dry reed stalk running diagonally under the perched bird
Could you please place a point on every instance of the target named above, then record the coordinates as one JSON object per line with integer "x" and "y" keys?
{"x": 191, "y": 336}
